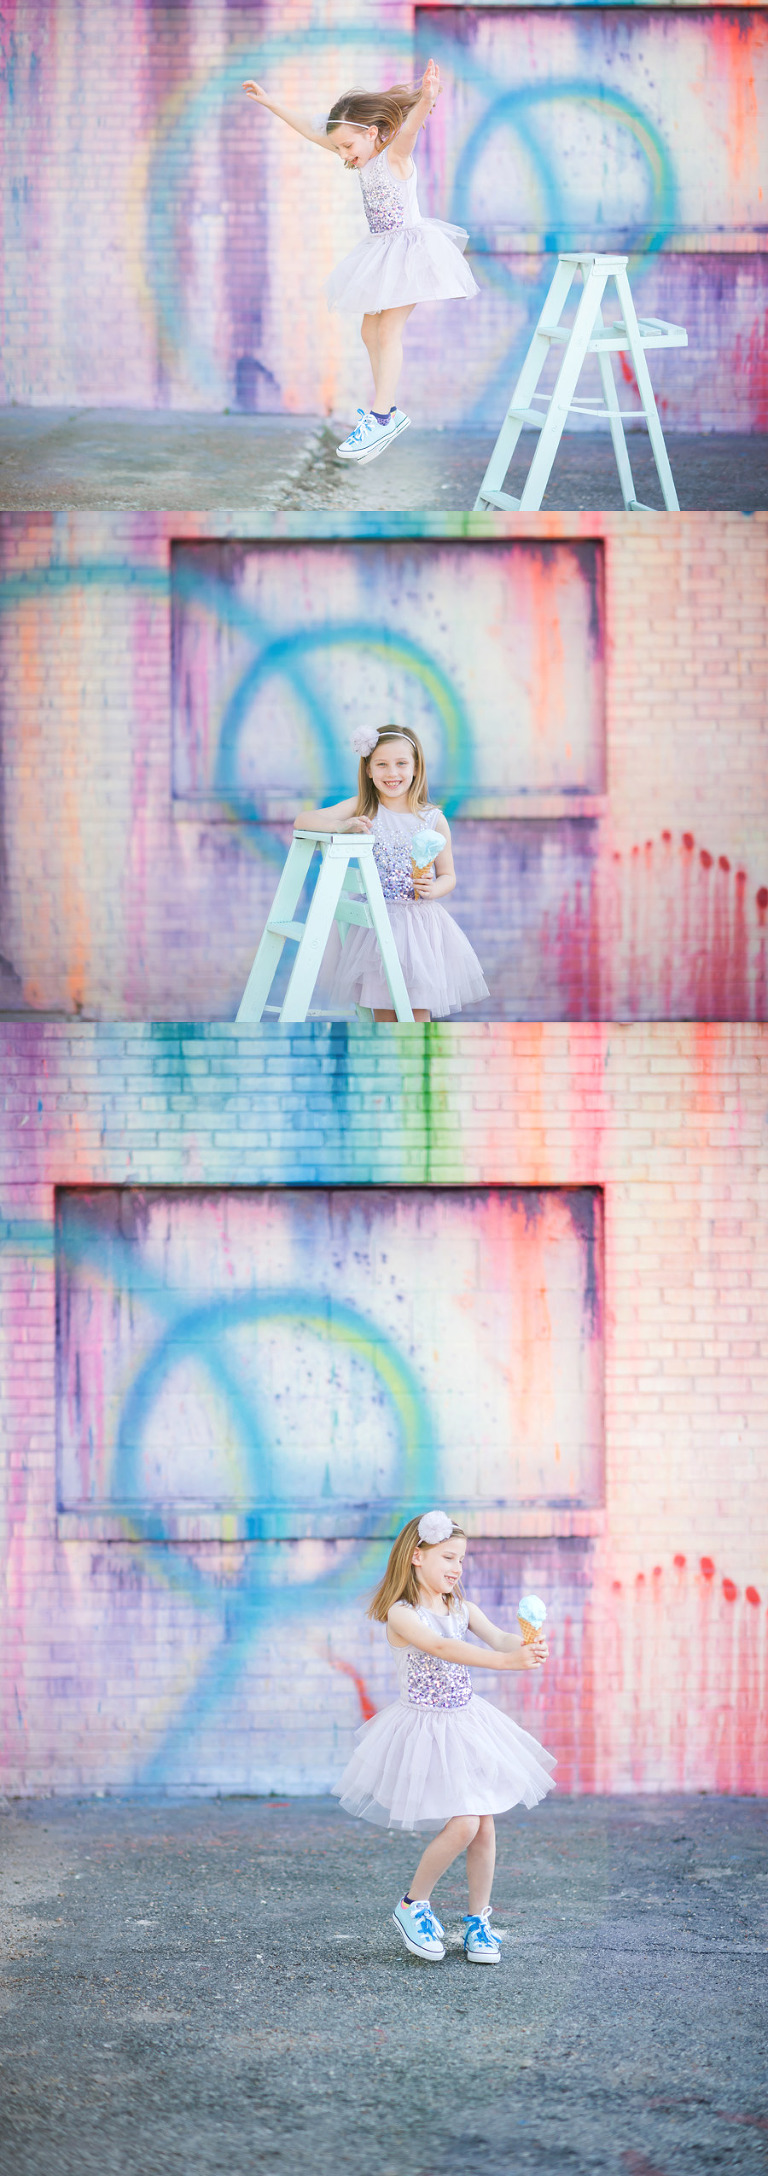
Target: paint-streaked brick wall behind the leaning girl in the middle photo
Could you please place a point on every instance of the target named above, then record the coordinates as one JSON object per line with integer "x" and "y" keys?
{"x": 134, "y": 889}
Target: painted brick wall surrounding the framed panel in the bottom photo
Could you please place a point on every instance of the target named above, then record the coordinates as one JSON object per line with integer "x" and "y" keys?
{"x": 134, "y": 1664}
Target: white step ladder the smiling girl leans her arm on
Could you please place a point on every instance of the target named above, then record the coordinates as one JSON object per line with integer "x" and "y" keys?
{"x": 330, "y": 904}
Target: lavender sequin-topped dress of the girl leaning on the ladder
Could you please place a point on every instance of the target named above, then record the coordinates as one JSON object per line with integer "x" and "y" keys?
{"x": 438, "y": 963}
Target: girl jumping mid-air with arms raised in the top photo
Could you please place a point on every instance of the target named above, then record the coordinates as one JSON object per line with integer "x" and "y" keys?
{"x": 406, "y": 260}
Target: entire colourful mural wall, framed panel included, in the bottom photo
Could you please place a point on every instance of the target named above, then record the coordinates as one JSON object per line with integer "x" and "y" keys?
{"x": 195, "y": 1217}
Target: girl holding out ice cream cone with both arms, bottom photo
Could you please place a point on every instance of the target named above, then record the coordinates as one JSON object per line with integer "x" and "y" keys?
{"x": 441, "y": 1757}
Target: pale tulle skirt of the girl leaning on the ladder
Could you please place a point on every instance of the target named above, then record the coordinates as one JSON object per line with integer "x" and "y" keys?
{"x": 438, "y": 963}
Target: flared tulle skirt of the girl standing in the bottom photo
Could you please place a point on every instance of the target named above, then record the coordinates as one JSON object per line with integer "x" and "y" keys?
{"x": 417, "y": 1768}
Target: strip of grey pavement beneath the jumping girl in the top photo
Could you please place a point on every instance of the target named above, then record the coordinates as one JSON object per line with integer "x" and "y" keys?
{"x": 129, "y": 458}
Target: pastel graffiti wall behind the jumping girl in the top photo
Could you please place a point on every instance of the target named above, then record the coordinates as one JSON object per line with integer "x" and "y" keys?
{"x": 210, "y": 232}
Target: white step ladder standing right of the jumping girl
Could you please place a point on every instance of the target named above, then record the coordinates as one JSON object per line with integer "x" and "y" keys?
{"x": 589, "y": 336}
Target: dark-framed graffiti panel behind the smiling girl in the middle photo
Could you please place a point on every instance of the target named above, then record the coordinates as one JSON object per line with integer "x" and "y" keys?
{"x": 493, "y": 656}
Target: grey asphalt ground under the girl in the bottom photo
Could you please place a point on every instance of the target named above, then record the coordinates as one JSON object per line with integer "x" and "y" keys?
{"x": 219, "y": 1988}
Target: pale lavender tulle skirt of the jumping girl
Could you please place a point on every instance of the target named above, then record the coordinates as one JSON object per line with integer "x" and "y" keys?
{"x": 414, "y": 264}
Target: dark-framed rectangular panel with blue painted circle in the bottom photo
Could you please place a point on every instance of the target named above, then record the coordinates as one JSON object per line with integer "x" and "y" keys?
{"x": 264, "y": 1352}
